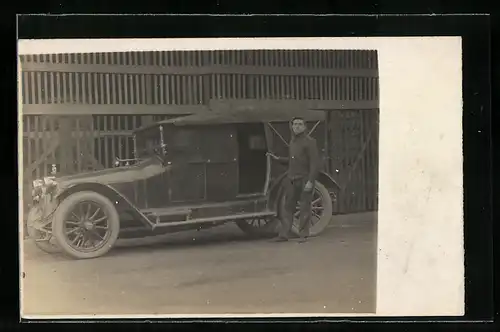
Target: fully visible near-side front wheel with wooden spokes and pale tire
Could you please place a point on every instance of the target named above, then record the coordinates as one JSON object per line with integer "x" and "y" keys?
{"x": 86, "y": 225}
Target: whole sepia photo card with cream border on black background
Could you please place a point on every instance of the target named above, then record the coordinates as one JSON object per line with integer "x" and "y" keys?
{"x": 237, "y": 180}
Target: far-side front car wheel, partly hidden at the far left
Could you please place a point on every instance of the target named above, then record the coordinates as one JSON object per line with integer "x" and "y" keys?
{"x": 40, "y": 234}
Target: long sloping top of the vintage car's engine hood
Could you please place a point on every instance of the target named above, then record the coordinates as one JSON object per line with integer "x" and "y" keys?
{"x": 140, "y": 171}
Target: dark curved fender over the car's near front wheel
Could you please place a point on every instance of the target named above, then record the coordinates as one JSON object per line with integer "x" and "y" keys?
{"x": 122, "y": 204}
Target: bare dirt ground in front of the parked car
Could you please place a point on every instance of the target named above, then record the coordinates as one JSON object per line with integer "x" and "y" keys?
{"x": 217, "y": 271}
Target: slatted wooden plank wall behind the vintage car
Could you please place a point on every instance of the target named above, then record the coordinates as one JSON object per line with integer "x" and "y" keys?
{"x": 187, "y": 79}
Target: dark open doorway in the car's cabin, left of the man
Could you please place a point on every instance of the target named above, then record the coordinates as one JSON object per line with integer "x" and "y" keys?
{"x": 252, "y": 166}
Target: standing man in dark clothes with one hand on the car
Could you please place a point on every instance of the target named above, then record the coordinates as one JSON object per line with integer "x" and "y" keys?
{"x": 299, "y": 182}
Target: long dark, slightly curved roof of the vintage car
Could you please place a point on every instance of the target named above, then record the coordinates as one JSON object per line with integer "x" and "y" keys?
{"x": 247, "y": 115}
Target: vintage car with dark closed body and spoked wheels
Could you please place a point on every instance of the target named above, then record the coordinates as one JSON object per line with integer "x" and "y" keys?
{"x": 188, "y": 173}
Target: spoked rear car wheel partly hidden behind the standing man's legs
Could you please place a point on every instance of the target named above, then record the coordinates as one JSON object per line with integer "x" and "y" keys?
{"x": 322, "y": 209}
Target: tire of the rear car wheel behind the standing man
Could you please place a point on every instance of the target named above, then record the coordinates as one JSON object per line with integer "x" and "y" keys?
{"x": 321, "y": 192}
